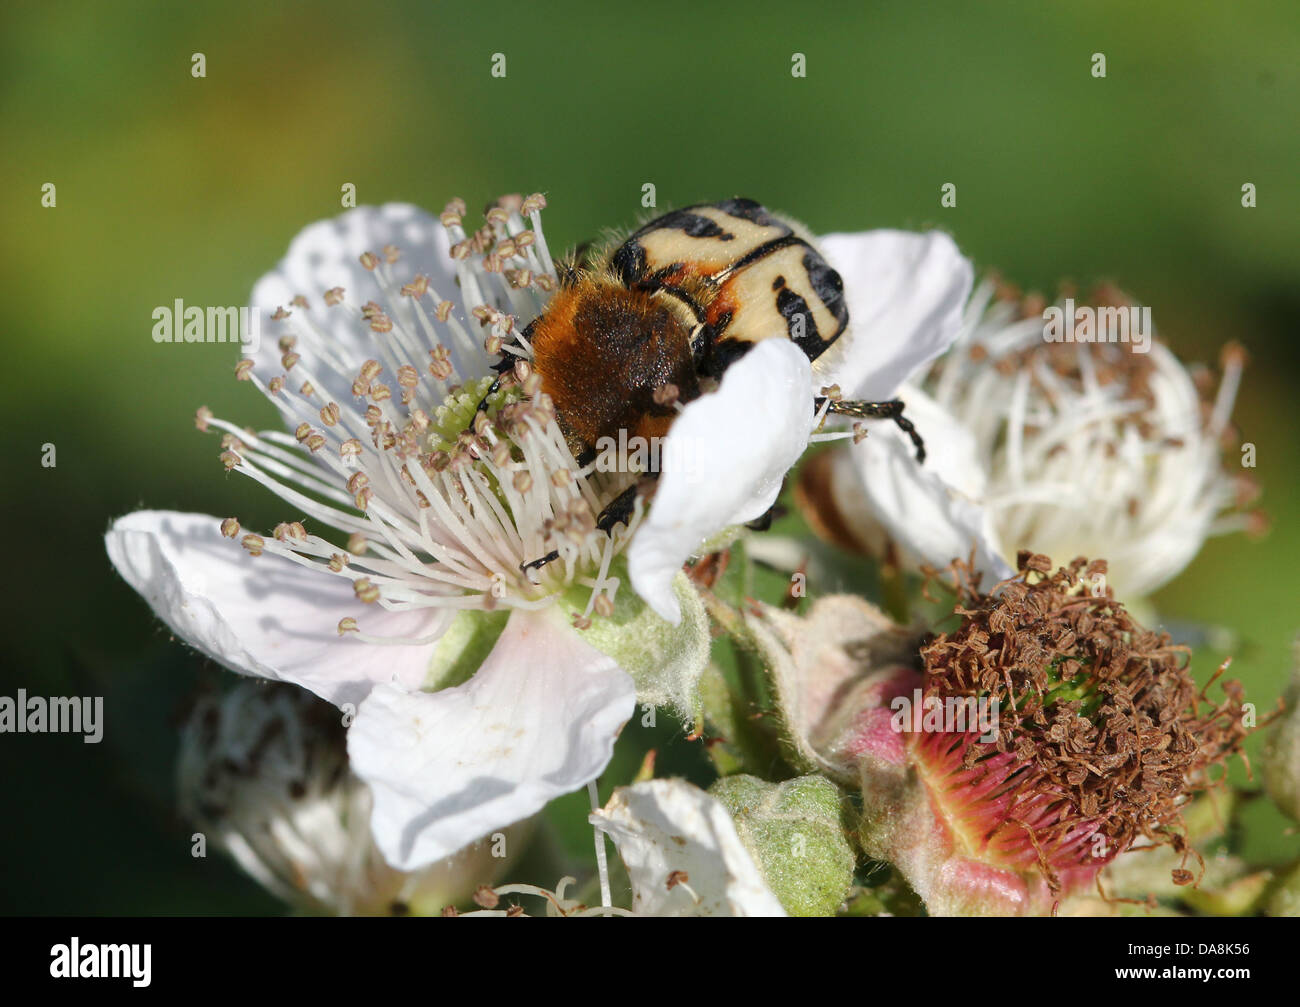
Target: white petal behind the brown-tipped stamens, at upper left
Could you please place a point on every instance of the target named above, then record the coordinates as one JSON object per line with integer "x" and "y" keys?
{"x": 327, "y": 255}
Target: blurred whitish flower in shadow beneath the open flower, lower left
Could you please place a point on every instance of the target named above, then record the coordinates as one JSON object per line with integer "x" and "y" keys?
{"x": 263, "y": 775}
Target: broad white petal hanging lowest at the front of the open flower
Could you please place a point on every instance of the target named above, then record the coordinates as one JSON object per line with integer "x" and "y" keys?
{"x": 538, "y": 720}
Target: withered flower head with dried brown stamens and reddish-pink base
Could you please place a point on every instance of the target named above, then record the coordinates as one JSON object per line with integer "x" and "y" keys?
{"x": 1102, "y": 735}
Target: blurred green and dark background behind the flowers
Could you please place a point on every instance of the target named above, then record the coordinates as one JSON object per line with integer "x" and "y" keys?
{"x": 177, "y": 188}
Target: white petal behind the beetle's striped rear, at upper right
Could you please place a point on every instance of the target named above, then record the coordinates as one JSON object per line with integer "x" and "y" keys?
{"x": 905, "y": 294}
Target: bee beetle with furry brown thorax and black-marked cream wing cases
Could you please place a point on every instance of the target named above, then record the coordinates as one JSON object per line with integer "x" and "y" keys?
{"x": 671, "y": 309}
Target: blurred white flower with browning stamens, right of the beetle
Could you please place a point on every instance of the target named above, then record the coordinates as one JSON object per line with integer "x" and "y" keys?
{"x": 1061, "y": 449}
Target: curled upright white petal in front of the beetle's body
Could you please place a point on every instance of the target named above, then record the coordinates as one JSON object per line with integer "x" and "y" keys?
{"x": 725, "y": 459}
